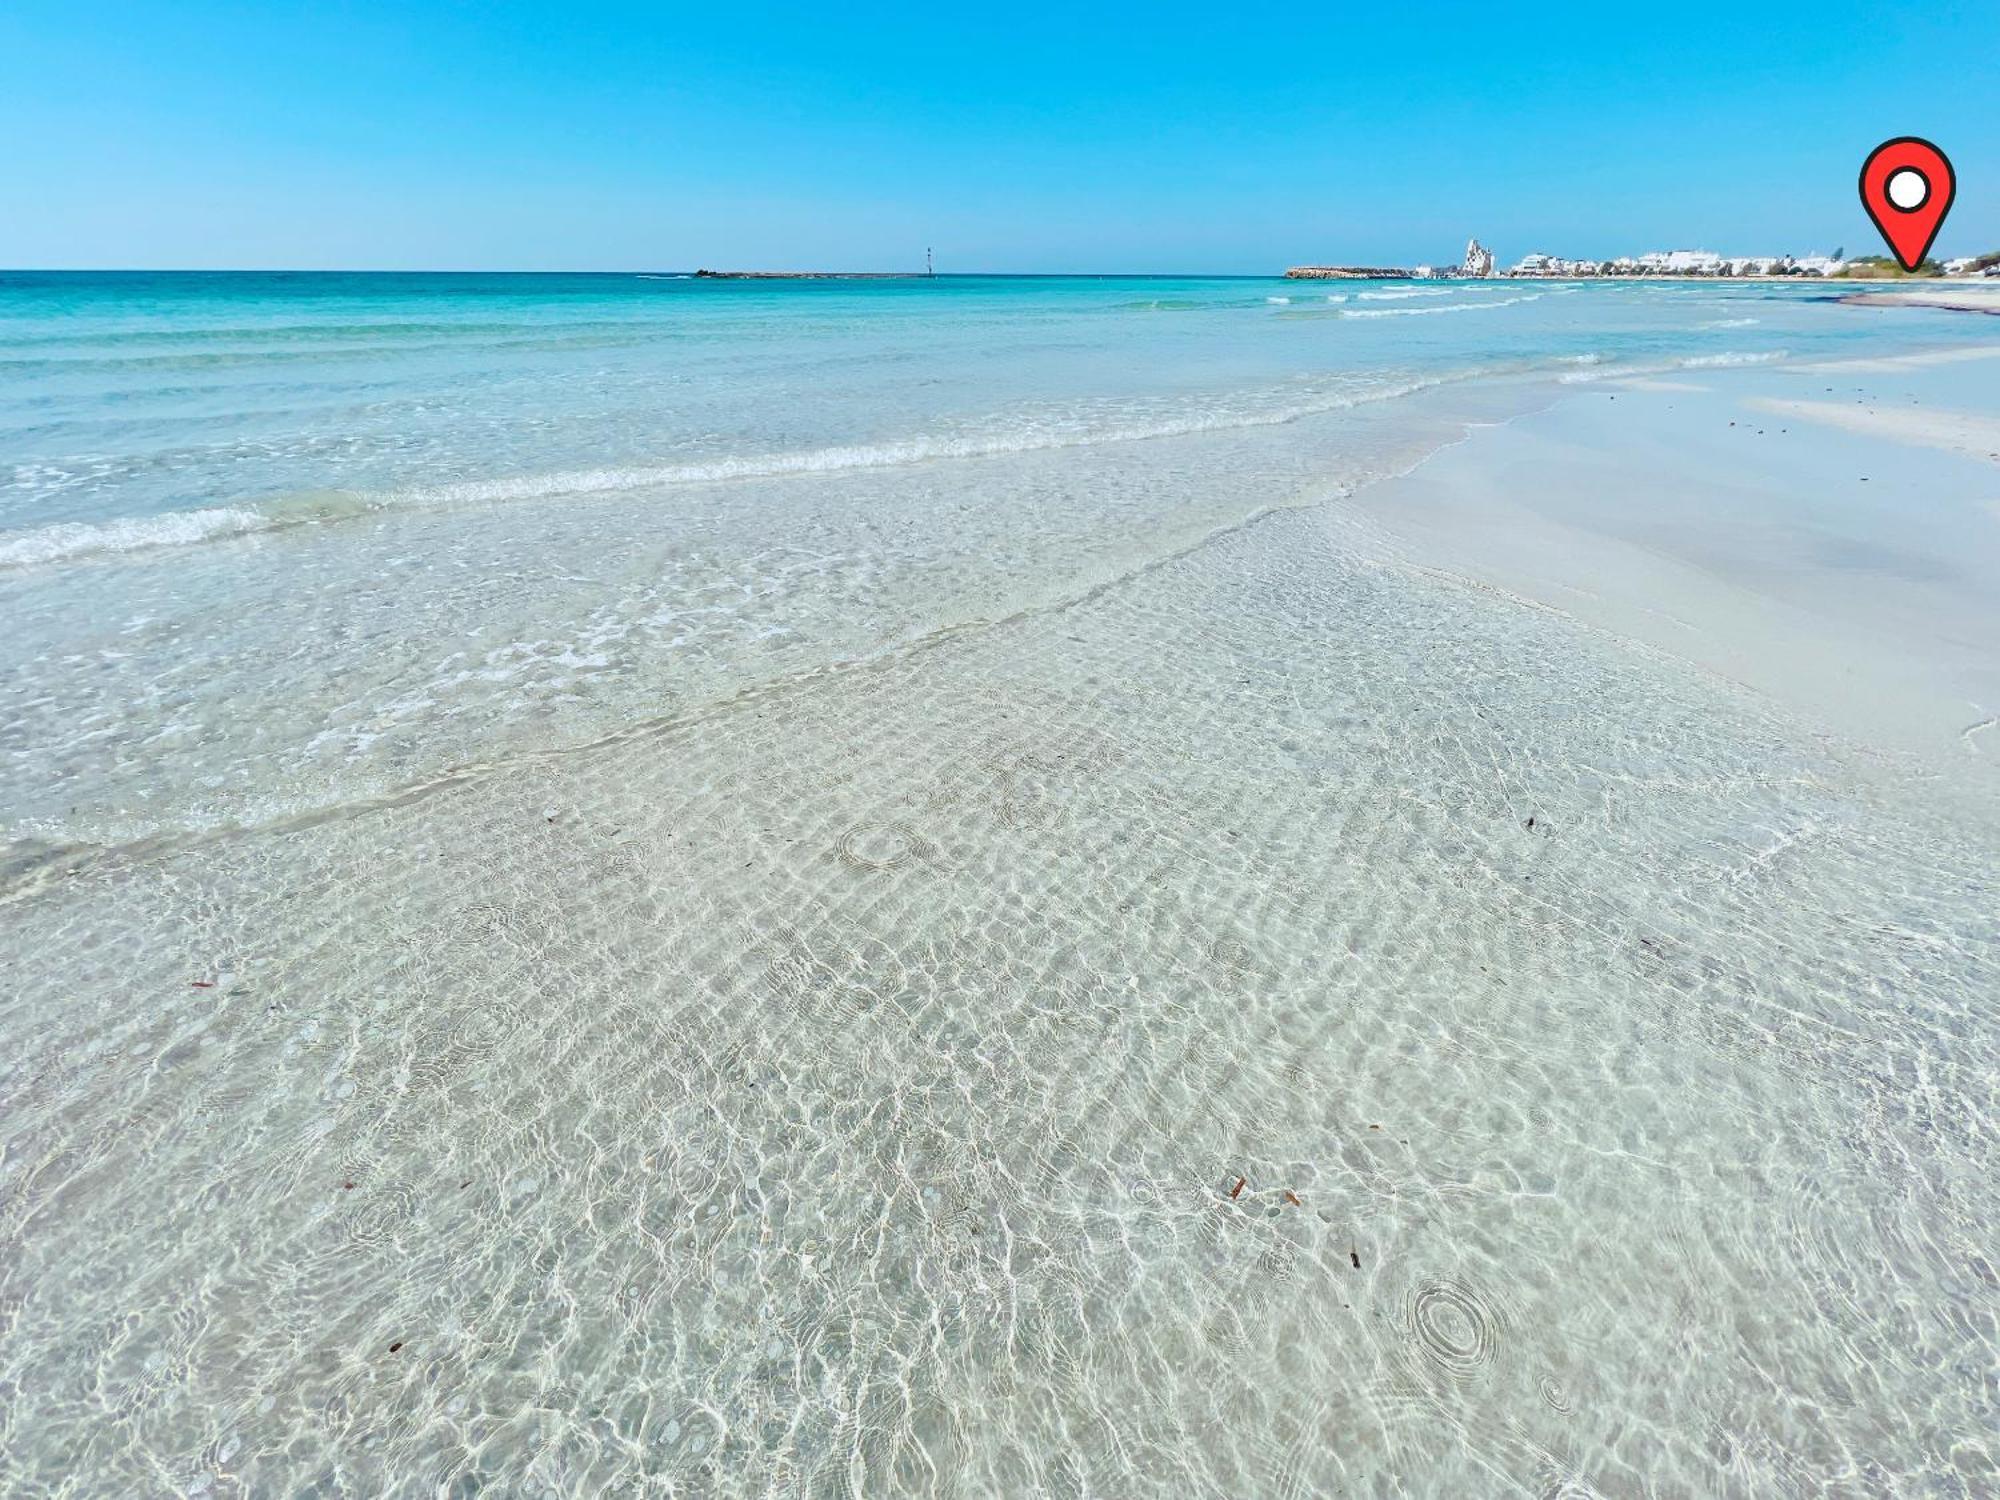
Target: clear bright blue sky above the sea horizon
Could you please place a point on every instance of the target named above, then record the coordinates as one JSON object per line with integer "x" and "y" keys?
{"x": 1165, "y": 139}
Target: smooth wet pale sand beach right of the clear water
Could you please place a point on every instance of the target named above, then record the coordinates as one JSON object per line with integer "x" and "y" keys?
{"x": 1835, "y": 555}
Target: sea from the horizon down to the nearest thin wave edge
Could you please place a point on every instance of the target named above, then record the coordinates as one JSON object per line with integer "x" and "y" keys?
{"x": 275, "y": 543}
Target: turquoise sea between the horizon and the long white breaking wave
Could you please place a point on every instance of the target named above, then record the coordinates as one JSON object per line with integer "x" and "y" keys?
{"x": 291, "y": 397}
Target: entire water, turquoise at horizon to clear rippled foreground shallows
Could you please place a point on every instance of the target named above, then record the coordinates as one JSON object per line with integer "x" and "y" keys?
{"x": 771, "y": 985}
